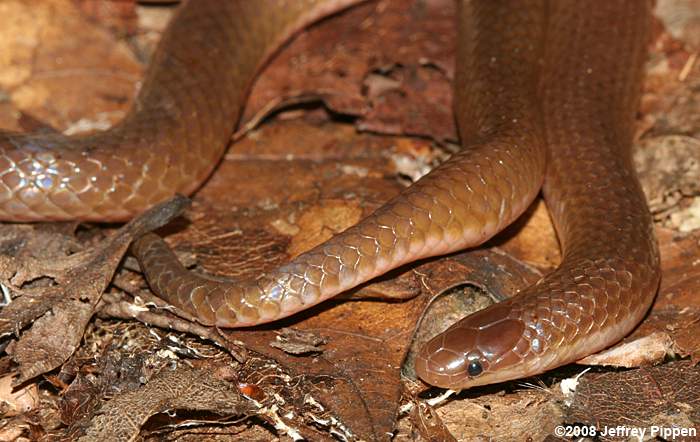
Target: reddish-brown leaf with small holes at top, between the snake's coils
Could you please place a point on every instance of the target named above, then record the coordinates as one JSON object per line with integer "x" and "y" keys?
{"x": 407, "y": 78}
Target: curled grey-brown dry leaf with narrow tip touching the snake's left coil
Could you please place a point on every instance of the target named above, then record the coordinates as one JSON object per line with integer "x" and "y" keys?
{"x": 61, "y": 312}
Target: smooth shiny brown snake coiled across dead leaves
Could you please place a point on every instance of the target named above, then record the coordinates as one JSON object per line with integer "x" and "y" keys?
{"x": 545, "y": 92}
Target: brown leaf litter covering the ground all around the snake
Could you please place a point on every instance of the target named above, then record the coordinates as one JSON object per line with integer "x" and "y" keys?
{"x": 94, "y": 354}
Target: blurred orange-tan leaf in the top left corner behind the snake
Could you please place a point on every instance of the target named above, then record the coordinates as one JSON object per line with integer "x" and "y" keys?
{"x": 48, "y": 78}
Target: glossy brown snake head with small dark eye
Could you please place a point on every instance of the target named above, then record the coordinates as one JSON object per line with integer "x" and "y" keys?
{"x": 478, "y": 350}
